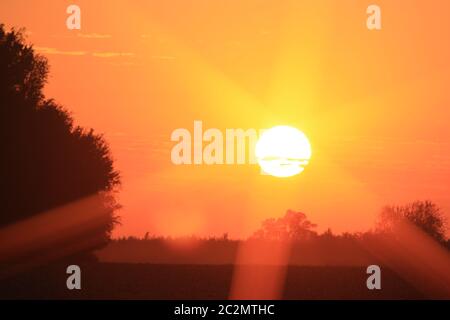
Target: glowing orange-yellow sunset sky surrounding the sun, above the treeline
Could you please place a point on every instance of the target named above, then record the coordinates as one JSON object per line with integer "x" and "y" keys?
{"x": 374, "y": 104}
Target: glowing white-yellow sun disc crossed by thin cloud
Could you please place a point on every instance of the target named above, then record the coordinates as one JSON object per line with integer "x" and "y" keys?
{"x": 283, "y": 151}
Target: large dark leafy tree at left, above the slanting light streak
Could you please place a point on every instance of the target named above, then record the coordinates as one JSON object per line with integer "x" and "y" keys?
{"x": 46, "y": 160}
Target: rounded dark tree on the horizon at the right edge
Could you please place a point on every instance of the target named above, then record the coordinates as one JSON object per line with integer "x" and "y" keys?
{"x": 423, "y": 214}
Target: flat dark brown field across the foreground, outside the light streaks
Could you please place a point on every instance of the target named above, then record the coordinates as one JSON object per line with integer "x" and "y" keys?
{"x": 146, "y": 281}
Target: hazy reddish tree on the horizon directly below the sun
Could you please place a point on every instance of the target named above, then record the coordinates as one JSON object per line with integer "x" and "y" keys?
{"x": 292, "y": 226}
